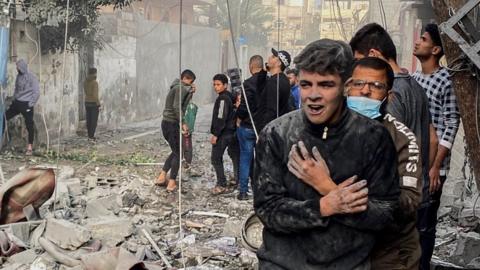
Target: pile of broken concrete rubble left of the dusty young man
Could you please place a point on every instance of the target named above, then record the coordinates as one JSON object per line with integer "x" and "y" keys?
{"x": 113, "y": 217}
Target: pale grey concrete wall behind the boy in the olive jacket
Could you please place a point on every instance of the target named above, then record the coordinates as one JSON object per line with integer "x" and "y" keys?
{"x": 140, "y": 60}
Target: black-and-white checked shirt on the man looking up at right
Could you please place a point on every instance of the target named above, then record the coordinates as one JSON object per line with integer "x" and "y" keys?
{"x": 443, "y": 108}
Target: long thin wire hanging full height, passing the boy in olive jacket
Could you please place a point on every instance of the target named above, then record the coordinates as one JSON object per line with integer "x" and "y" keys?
{"x": 180, "y": 133}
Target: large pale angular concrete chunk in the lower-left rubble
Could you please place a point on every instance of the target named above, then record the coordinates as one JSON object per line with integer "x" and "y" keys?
{"x": 65, "y": 234}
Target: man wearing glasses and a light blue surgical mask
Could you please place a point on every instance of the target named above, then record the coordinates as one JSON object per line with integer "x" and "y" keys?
{"x": 367, "y": 94}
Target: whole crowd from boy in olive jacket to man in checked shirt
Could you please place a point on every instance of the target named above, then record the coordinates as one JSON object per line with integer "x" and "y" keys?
{"x": 350, "y": 151}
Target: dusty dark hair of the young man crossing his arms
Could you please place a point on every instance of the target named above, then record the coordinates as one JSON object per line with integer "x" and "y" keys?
{"x": 326, "y": 56}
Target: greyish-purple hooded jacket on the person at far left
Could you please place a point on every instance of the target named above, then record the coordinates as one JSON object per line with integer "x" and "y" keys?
{"x": 26, "y": 85}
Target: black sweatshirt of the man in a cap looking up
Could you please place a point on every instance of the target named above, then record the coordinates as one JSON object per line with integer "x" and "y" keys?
{"x": 267, "y": 103}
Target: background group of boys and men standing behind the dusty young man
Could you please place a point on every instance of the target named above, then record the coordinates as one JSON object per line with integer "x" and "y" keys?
{"x": 235, "y": 125}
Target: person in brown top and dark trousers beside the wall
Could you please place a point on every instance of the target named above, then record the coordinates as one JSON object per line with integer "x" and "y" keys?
{"x": 92, "y": 103}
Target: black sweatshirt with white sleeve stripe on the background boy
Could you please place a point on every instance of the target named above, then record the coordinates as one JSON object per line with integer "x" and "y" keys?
{"x": 223, "y": 118}
